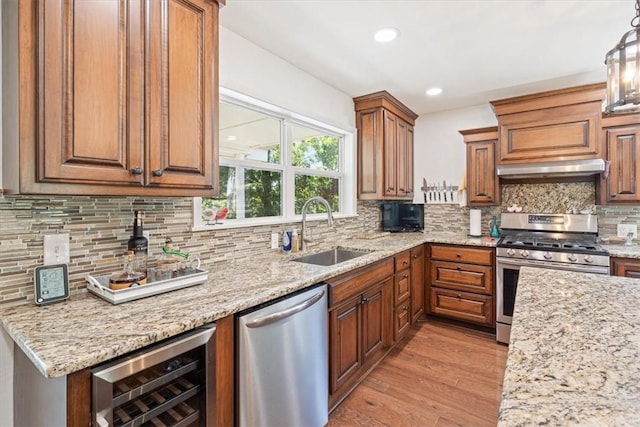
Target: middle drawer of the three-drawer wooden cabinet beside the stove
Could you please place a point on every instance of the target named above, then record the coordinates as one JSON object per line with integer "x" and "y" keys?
{"x": 461, "y": 277}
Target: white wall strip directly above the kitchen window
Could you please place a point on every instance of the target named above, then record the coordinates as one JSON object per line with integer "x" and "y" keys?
{"x": 251, "y": 70}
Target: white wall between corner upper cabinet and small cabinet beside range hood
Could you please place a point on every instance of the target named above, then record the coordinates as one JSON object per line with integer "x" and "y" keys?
{"x": 439, "y": 151}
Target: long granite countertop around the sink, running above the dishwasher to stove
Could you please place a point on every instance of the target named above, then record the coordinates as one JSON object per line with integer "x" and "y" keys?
{"x": 86, "y": 330}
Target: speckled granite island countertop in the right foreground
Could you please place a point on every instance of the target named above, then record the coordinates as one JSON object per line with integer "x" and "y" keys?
{"x": 574, "y": 355}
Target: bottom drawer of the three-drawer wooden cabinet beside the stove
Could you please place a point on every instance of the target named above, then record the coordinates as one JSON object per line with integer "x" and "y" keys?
{"x": 462, "y": 306}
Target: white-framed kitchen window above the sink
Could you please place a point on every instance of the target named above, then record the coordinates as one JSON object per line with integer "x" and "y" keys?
{"x": 271, "y": 162}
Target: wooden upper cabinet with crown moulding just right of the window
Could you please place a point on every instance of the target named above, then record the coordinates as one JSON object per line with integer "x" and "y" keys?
{"x": 385, "y": 147}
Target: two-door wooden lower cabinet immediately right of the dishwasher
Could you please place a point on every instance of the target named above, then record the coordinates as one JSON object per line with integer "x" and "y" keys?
{"x": 360, "y": 325}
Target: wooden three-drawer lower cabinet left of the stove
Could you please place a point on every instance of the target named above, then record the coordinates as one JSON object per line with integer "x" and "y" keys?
{"x": 461, "y": 282}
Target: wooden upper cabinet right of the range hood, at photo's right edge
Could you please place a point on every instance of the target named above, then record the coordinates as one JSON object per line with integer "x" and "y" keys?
{"x": 622, "y": 152}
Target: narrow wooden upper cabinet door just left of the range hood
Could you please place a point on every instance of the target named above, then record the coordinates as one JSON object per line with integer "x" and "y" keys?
{"x": 482, "y": 186}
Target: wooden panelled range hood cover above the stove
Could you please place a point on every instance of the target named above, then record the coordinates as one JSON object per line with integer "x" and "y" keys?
{"x": 550, "y": 126}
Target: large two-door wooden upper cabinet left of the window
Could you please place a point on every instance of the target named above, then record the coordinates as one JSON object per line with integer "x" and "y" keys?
{"x": 116, "y": 97}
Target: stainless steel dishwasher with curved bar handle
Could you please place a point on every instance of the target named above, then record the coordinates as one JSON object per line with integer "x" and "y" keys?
{"x": 282, "y": 370}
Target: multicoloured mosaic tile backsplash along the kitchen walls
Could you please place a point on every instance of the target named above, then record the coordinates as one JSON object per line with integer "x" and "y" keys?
{"x": 100, "y": 226}
